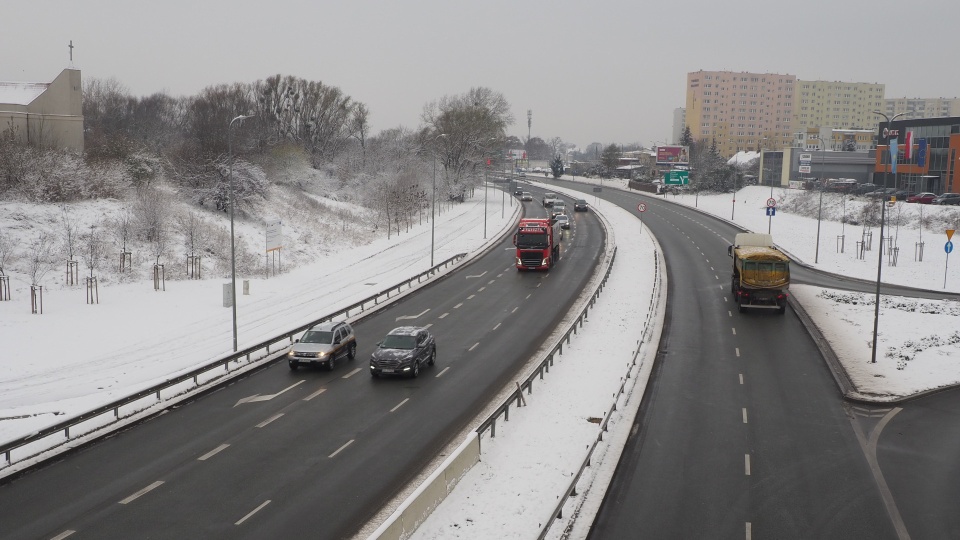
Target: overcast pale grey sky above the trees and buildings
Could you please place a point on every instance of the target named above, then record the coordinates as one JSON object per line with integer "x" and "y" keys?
{"x": 609, "y": 71}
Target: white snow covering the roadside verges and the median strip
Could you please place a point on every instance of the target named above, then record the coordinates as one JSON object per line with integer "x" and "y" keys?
{"x": 137, "y": 336}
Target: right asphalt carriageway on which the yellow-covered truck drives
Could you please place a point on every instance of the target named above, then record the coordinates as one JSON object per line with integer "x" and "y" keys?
{"x": 742, "y": 432}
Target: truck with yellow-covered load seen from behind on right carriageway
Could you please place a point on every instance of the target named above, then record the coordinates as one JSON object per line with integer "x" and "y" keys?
{"x": 761, "y": 273}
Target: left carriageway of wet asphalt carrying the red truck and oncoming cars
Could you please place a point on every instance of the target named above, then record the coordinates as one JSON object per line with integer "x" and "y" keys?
{"x": 321, "y": 452}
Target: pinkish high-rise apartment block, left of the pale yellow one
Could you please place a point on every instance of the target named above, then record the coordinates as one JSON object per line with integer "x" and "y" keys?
{"x": 741, "y": 110}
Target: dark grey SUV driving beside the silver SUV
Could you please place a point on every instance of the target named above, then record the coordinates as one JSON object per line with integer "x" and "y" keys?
{"x": 403, "y": 351}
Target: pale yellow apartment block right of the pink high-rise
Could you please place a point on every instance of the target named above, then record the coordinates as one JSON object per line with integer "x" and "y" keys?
{"x": 837, "y": 105}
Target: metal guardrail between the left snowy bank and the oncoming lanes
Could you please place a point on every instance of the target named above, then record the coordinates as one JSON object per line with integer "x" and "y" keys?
{"x": 240, "y": 359}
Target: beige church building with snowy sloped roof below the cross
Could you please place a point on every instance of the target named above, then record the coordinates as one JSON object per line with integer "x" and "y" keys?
{"x": 47, "y": 115}
